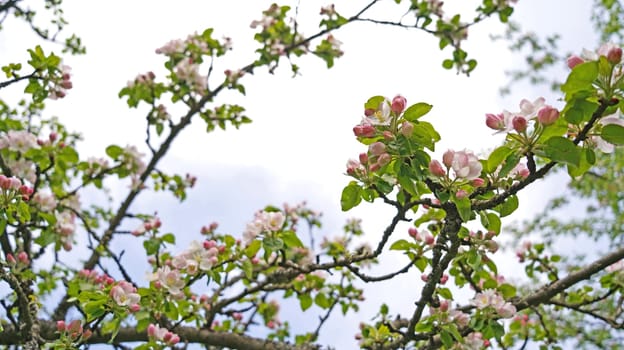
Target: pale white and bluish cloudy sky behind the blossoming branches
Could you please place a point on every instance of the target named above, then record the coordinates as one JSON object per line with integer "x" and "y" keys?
{"x": 297, "y": 147}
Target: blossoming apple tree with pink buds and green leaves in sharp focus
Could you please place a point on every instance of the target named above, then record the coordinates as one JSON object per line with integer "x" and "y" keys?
{"x": 249, "y": 273}
